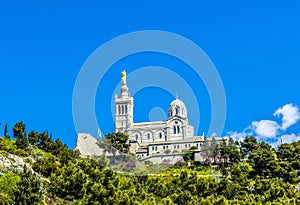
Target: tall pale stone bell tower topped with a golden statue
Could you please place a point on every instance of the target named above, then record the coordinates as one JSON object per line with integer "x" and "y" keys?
{"x": 124, "y": 108}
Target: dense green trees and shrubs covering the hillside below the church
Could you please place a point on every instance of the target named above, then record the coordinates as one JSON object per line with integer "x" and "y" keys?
{"x": 251, "y": 173}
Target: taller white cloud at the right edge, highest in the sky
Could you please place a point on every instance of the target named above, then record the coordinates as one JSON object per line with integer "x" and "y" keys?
{"x": 290, "y": 115}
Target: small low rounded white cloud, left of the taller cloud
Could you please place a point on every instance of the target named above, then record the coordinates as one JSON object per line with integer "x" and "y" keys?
{"x": 265, "y": 128}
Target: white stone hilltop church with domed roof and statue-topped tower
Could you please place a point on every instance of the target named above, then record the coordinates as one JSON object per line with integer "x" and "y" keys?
{"x": 155, "y": 140}
